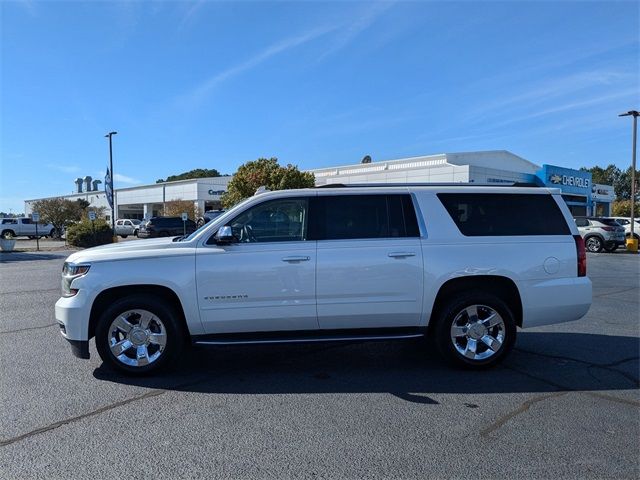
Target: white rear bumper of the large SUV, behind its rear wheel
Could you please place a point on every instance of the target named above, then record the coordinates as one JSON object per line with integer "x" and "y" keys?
{"x": 555, "y": 301}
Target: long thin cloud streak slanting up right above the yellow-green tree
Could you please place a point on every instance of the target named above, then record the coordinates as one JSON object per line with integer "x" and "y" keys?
{"x": 201, "y": 91}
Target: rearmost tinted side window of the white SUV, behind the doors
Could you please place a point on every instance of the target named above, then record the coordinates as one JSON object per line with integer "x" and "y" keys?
{"x": 497, "y": 214}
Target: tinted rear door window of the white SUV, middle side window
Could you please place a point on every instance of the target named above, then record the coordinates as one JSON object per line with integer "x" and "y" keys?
{"x": 342, "y": 217}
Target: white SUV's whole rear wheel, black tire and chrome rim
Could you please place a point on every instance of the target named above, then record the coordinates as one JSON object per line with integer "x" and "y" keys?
{"x": 475, "y": 330}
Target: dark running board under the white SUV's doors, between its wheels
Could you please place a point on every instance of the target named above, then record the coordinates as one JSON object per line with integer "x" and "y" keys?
{"x": 307, "y": 337}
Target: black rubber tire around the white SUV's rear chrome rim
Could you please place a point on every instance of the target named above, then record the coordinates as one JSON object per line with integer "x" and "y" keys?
{"x": 454, "y": 308}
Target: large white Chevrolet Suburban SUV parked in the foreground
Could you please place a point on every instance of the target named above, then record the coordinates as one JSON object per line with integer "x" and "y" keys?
{"x": 464, "y": 265}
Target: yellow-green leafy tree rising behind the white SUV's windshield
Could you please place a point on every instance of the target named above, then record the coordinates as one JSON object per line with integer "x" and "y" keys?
{"x": 264, "y": 172}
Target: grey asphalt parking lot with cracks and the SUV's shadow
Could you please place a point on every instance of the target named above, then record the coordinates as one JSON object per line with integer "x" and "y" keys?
{"x": 565, "y": 404}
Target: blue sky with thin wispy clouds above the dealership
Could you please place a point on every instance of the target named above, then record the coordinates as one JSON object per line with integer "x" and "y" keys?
{"x": 208, "y": 84}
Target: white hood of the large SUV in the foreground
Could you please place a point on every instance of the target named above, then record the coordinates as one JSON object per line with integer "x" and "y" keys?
{"x": 154, "y": 247}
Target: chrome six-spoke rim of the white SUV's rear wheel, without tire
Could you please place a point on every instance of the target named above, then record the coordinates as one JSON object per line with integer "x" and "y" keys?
{"x": 478, "y": 332}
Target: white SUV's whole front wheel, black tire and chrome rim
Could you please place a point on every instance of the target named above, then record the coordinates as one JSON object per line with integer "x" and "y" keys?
{"x": 139, "y": 334}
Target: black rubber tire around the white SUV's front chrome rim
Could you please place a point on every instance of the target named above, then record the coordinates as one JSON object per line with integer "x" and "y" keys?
{"x": 166, "y": 313}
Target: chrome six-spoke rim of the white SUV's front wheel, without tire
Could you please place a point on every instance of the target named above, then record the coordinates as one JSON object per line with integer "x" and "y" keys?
{"x": 137, "y": 338}
